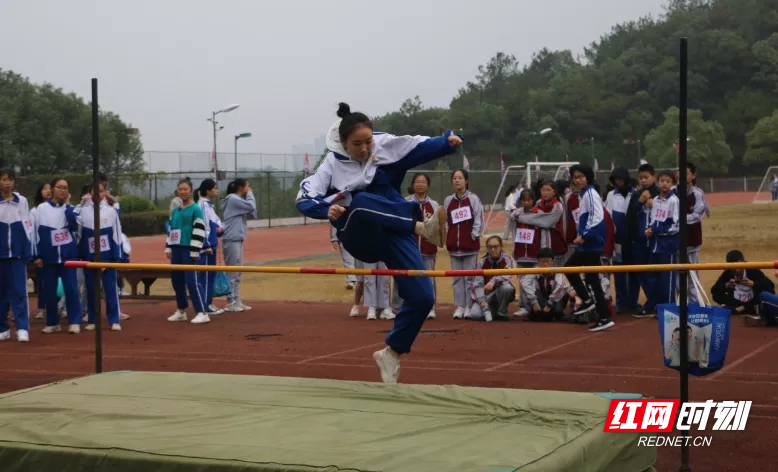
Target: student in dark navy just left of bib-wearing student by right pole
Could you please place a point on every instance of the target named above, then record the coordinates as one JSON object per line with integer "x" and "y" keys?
{"x": 638, "y": 220}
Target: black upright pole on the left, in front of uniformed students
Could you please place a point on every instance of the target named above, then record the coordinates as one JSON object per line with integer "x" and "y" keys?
{"x": 96, "y": 238}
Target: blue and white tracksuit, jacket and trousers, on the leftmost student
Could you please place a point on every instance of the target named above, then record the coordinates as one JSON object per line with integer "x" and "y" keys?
{"x": 16, "y": 250}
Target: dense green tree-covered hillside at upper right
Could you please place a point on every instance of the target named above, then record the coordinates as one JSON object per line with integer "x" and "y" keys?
{"x": 618, "y": 101}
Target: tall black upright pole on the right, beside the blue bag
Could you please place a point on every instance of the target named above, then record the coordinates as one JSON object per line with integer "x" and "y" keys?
{"x": 683, "y": 276}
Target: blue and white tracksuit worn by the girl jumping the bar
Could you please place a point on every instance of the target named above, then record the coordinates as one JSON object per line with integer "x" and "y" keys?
{"x": 379, "y": 224}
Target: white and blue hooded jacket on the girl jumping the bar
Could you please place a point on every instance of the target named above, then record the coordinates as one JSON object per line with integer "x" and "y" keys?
{"x": 339, "y": 176}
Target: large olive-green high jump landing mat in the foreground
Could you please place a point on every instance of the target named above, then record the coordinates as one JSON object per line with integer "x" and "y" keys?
{"x": 165, "y": 422}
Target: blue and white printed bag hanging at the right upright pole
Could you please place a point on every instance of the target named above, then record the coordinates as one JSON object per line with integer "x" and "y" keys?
{"x": 708, "y": 330}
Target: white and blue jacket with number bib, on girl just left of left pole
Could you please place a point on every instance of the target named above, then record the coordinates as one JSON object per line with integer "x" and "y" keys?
{"x": 56, "y": 225}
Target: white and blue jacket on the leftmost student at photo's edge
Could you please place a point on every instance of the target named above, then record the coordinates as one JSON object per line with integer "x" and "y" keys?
{"x": 16, "y": 229}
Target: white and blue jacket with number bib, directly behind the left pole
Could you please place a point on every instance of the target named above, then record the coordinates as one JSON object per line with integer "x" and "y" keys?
{"x": 109, "y": 239}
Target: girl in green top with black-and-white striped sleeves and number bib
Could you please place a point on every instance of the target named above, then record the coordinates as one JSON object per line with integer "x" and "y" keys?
{"x": 183, "y": 246}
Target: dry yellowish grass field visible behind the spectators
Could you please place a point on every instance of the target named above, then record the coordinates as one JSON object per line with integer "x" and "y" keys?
{"x": 747, "y": 227}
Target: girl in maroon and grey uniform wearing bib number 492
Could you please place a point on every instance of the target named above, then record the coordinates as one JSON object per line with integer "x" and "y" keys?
{"x": 465, "y": 225}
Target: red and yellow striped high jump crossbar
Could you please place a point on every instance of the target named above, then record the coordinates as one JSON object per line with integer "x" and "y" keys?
{"x": 426, "y": 273}
